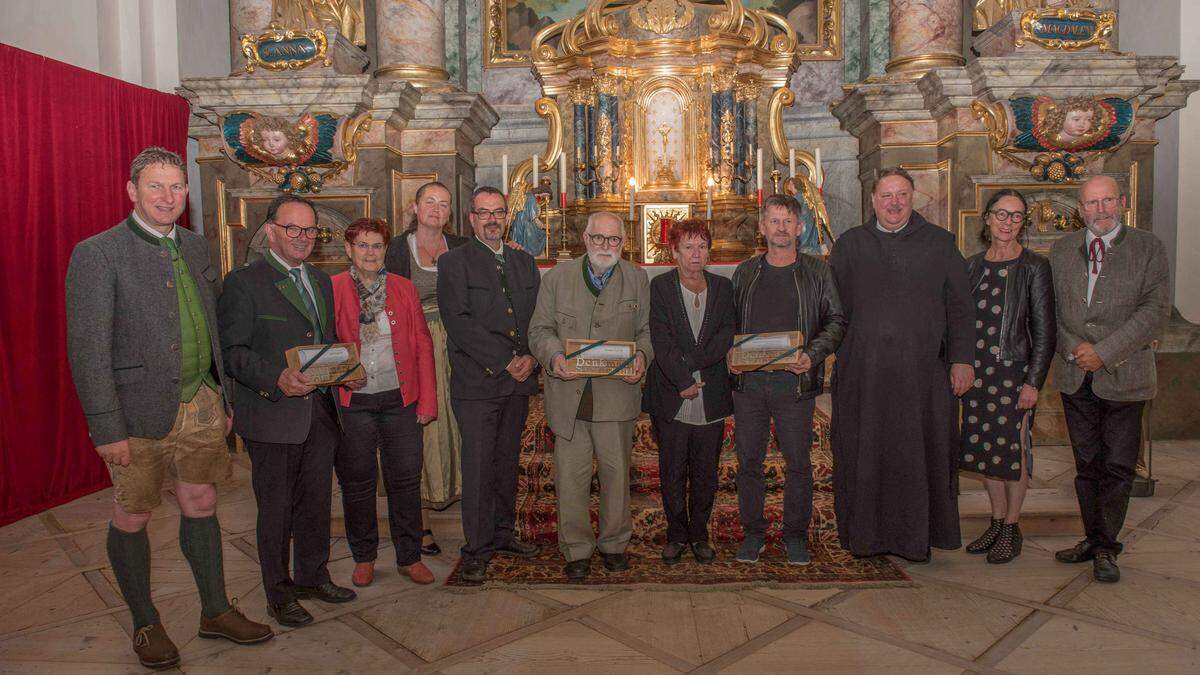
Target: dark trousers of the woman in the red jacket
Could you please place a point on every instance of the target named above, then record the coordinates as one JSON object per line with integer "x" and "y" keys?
{"x": 381, "y": 423}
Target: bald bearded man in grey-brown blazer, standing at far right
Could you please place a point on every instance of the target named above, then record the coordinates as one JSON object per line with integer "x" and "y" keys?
{"x": 1112, "y": 294}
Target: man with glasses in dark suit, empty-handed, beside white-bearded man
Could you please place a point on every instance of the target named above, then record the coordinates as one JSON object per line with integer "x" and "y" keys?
{"x": 487, "y": 295}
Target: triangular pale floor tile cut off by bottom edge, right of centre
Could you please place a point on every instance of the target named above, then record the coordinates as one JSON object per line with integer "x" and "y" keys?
{"x": 820, "y": 648}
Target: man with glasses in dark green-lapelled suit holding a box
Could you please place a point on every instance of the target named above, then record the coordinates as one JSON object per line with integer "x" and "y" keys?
{"x": 290, "y": 427}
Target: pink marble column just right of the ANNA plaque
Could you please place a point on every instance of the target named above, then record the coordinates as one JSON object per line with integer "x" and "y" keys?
{"x": 411, "y": 39}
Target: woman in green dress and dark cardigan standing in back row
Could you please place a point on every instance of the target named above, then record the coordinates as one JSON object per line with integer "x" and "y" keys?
{"x": 415, "y": 255}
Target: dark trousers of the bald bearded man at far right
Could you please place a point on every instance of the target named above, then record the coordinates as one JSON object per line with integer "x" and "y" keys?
{"x": 1106, "y": 438}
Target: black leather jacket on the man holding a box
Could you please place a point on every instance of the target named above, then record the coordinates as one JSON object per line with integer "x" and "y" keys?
{"x": 819, "y": 316}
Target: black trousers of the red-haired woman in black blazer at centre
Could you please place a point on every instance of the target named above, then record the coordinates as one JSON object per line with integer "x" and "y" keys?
{"x": 688, "y": 459}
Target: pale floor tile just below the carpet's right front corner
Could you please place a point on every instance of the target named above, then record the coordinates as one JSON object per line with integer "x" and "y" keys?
{"x": 946, "y": 619}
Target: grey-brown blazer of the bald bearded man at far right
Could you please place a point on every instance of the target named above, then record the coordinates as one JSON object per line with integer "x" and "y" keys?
{"x": 1129, "y": 312}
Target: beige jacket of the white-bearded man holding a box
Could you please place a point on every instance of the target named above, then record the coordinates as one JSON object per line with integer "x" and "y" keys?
{"x": 568, "y": 309}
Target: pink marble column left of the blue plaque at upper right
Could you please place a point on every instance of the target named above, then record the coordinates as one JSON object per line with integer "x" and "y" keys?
{"x": 926, "y": 34}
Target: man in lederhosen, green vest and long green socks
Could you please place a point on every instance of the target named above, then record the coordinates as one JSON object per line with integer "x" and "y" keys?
{"x": 147, "y": 365}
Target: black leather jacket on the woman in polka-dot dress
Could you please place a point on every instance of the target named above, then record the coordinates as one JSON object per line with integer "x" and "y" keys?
{"x": 1029, "y": 328}
